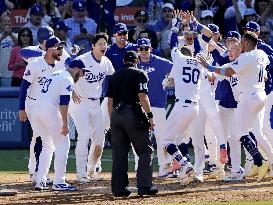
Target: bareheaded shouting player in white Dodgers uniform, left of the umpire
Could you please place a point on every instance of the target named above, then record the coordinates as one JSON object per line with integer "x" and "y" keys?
{"x": 86, "y": 110}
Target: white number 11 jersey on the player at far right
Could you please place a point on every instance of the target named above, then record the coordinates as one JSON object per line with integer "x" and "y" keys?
{"x": 250, "y": 67}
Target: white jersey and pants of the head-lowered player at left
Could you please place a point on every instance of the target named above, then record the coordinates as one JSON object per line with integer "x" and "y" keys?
{"x": 48, "y": 124}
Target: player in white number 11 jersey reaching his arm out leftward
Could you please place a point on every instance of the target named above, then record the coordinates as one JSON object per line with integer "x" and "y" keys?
{"x": 250, "y": 67}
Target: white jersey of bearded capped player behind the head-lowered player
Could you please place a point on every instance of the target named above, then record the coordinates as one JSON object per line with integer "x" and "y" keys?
{"x": 35, "y": 73}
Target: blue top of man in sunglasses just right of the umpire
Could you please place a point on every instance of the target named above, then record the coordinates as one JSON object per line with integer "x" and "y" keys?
{"x": 157, "y": 69}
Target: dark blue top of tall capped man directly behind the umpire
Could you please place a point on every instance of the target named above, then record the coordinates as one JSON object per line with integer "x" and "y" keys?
{"x": 115, "y": 54}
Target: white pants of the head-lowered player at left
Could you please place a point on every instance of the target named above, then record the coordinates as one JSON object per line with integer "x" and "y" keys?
{"x": 48, "y": 124}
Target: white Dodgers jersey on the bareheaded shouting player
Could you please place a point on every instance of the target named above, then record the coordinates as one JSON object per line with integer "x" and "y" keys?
{"x": 90, "y": 85}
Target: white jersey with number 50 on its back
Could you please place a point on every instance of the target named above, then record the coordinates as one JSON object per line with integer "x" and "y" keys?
{"x": 187, "y": 74}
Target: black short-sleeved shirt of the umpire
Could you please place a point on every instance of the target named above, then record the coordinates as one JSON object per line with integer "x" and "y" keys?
{"x": 124, "y": 85}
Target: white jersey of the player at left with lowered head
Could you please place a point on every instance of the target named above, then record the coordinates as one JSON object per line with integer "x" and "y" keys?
{"x": 57, "y": 83}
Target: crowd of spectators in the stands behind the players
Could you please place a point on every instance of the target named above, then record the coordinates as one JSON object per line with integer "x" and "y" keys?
{"x": 75, "y": 21}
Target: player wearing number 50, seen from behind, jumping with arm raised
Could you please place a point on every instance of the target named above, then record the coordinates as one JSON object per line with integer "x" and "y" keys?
{"x": 187, "y": 84}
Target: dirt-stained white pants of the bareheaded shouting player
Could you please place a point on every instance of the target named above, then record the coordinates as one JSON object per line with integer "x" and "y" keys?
{"x": 87, "y": 117}
